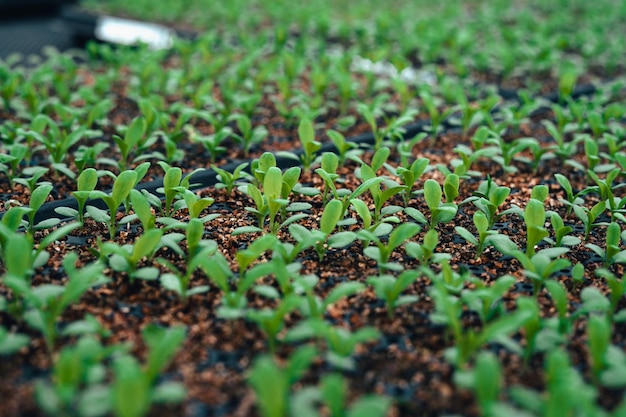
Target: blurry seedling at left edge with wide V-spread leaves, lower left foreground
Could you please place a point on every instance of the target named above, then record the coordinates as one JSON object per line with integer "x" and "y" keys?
{"x": 47, "y": 302}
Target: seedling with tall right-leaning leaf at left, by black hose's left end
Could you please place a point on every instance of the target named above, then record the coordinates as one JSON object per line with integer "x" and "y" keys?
{"x": 121, "y": 190}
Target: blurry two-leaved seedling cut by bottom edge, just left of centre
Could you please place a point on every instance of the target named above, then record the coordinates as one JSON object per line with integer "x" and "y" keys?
{"x": 272, "y": 383}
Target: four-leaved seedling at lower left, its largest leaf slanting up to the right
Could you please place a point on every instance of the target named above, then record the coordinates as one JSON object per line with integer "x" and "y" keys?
{"x": 126, "y": 258}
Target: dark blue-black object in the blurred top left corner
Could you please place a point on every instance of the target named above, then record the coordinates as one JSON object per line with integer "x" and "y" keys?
{"x": 27, "y": 26}
